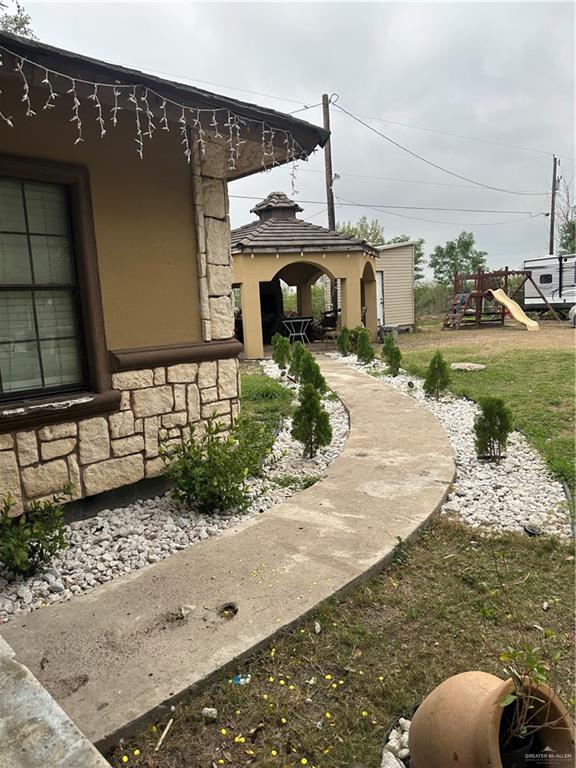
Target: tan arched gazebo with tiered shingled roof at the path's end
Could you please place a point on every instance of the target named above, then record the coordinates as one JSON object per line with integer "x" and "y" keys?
{"x": 280, "y": 247}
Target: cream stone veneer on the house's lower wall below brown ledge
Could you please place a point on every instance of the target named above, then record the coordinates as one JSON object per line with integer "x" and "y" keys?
{"x": 105, "y": 452}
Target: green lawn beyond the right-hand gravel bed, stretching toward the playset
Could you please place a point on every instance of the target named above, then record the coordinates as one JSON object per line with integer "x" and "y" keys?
{"x": 536, "y": 380}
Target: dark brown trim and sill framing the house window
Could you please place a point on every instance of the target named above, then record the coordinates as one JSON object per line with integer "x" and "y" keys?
{"x": 27, "y": 412}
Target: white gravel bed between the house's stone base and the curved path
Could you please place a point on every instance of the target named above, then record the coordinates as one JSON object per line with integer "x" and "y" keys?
{"x": 117, "y": 541}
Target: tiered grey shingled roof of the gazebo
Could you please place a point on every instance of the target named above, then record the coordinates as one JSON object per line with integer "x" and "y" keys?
{"x": 278, "y": 229}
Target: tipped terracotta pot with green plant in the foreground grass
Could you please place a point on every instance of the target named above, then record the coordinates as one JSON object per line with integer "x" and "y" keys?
{"x": 477, "y": 719}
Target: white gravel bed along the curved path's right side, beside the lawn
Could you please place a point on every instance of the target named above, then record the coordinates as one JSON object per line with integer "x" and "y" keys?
{"x": 505, "y": 496}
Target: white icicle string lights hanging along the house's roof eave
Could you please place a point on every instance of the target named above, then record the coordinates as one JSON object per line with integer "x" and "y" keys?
{"x": 228, "y": 127}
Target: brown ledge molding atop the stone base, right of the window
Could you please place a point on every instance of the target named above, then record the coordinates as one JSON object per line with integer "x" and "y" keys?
{"x": 151, "y": 357}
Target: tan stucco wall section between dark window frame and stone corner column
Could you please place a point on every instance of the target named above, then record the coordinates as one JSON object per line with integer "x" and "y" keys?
{"x": 143, "y": 216}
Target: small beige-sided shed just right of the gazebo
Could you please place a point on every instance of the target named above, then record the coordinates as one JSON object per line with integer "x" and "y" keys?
{"x": 397, "y": 266}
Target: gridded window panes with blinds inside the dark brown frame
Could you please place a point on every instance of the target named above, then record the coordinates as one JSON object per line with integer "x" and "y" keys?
{"x": 39, "y": 327}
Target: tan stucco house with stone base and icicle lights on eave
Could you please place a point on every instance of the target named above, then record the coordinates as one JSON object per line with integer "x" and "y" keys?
{"x": 116, "y": 312}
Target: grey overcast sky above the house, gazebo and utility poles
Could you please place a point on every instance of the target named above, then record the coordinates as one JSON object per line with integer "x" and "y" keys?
{"x": 498, "y": 71}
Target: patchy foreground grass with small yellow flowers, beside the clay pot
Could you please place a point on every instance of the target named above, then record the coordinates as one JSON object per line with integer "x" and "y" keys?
{"x": 327, "y": 699}
